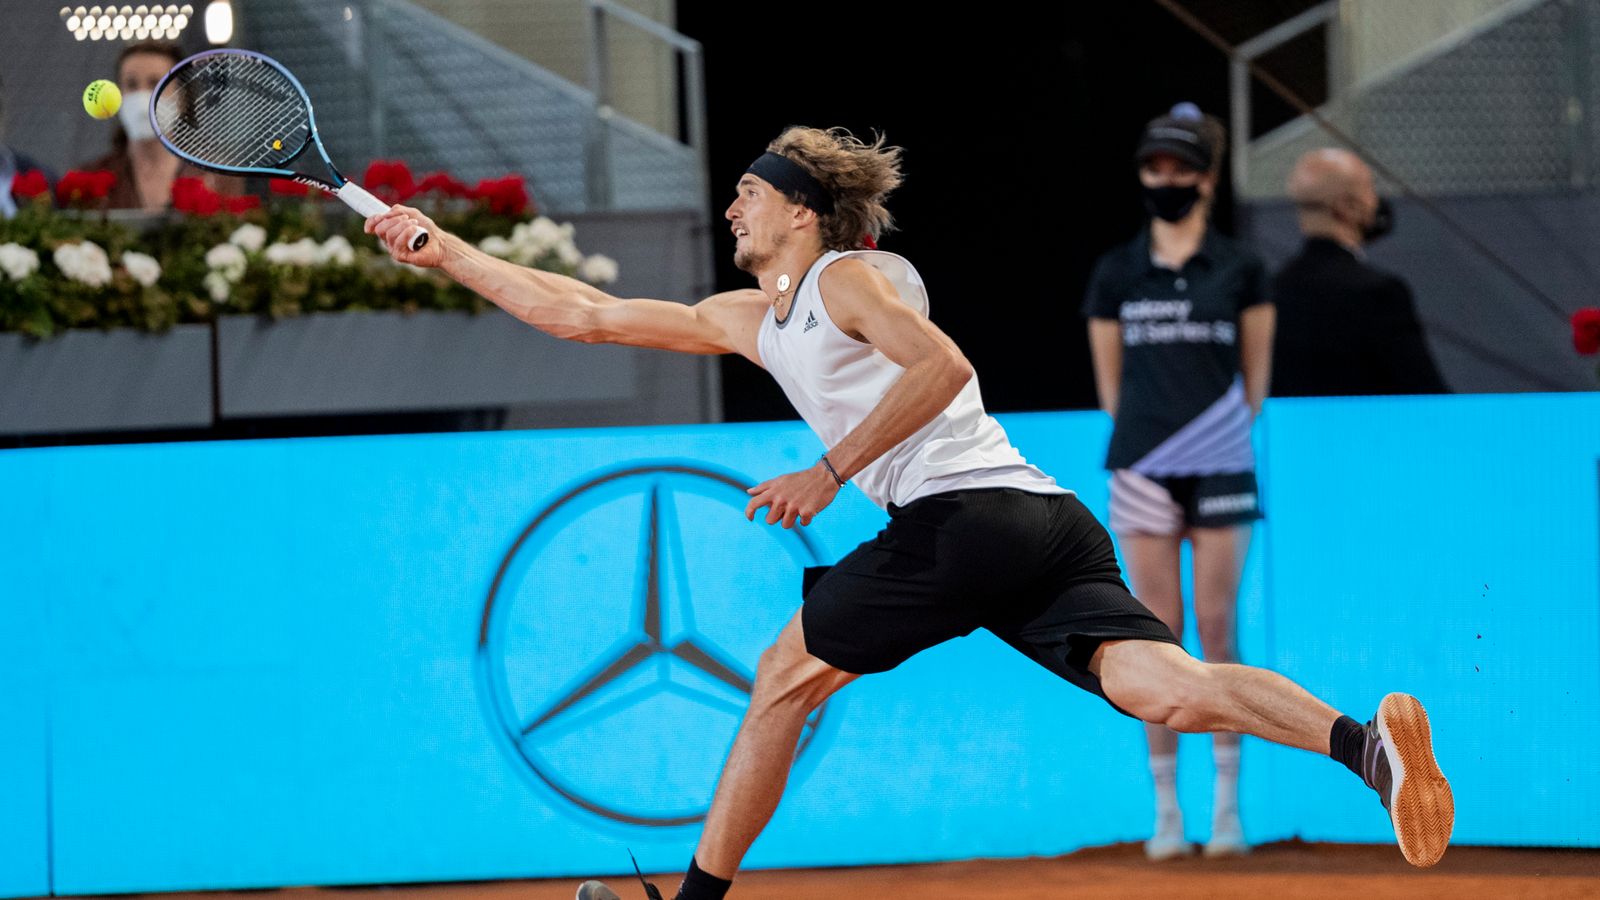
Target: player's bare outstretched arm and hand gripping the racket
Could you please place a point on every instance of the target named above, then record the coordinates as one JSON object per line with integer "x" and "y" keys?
{"x": 572, "y": 310}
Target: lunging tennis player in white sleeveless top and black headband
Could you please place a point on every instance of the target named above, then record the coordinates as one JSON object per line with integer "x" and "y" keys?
{"x": 977, "y": 536}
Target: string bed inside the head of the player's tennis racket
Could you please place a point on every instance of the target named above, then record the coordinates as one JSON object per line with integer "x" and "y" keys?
{"x": 234, "y": 111}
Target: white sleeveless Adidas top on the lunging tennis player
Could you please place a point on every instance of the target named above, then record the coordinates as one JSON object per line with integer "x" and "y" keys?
{"x": 834, "y": 382}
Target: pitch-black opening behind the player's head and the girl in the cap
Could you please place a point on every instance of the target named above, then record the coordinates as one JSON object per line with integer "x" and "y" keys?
{"x": 1018, "y": 132}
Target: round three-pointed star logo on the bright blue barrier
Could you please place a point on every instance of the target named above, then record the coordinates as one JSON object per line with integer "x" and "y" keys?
{"x": 618, "y": 640}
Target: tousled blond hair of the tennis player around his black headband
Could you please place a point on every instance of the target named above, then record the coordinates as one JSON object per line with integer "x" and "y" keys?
{"x": 858, "y": 175}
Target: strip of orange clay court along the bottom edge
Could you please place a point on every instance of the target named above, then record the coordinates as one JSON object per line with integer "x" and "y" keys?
{"x": 1281, "y": 872}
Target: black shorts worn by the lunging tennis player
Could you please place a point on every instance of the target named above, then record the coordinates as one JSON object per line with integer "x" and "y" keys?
{"x": 1034, "y": 569}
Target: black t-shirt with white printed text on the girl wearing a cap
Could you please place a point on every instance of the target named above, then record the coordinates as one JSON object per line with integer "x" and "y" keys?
{"x": 1182, "y": 408}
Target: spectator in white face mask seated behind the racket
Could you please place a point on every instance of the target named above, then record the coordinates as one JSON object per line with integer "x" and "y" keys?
{"x": 145, "y": 169}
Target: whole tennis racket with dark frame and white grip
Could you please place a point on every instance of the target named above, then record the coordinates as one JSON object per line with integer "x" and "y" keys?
{"x": 241, "y": 113}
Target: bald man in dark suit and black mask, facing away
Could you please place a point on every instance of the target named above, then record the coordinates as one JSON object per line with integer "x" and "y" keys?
{"x": 1345, "y": 326}
